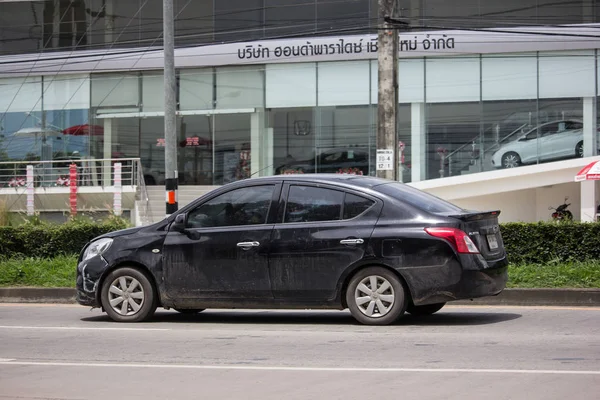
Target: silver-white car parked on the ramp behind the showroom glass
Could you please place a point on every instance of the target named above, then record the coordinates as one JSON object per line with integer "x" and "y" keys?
{"x": 552, "y": 140}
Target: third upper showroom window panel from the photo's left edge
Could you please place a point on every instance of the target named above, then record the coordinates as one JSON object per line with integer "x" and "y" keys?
{"x": 114, "y": 90}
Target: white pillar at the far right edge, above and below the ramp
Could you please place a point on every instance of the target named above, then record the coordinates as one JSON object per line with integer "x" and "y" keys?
{"x": 590, "y": 148}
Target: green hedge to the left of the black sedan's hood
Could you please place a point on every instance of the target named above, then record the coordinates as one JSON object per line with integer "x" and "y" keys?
{"x": 51, "y": 240}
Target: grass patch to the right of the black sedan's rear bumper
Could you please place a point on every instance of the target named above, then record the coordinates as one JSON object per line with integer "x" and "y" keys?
{"x": 565, "y": 275}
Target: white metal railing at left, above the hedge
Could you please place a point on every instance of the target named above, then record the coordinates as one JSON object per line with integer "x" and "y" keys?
{"x": 57, "y": 173}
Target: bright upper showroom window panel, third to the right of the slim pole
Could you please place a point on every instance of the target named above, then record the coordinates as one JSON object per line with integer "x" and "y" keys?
{"x": 291, "y": 85}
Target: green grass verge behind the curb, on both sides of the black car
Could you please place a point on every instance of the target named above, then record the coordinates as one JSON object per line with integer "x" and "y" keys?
{"x": 60, "y": 272}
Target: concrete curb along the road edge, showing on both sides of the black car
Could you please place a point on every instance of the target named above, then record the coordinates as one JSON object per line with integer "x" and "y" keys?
{"x": 509, "y": 297}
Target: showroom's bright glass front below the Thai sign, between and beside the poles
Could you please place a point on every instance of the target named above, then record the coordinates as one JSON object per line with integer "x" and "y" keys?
{"x": 456, "y": 115}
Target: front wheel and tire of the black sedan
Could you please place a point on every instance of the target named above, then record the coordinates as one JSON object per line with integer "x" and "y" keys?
{"x": 144, "y": 291}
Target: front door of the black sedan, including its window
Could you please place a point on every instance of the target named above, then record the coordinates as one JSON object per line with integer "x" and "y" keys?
{"x": 222, "y": 253}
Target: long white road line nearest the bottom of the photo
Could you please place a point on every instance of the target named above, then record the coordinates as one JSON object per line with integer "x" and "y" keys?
{"x": 299, "y": 369}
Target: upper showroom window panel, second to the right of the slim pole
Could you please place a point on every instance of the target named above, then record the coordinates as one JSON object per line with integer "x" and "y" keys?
{"x": 240, "y": 87}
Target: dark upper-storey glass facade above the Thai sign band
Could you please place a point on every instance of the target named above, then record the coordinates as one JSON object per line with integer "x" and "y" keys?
{"x": 47, "y": 25}
